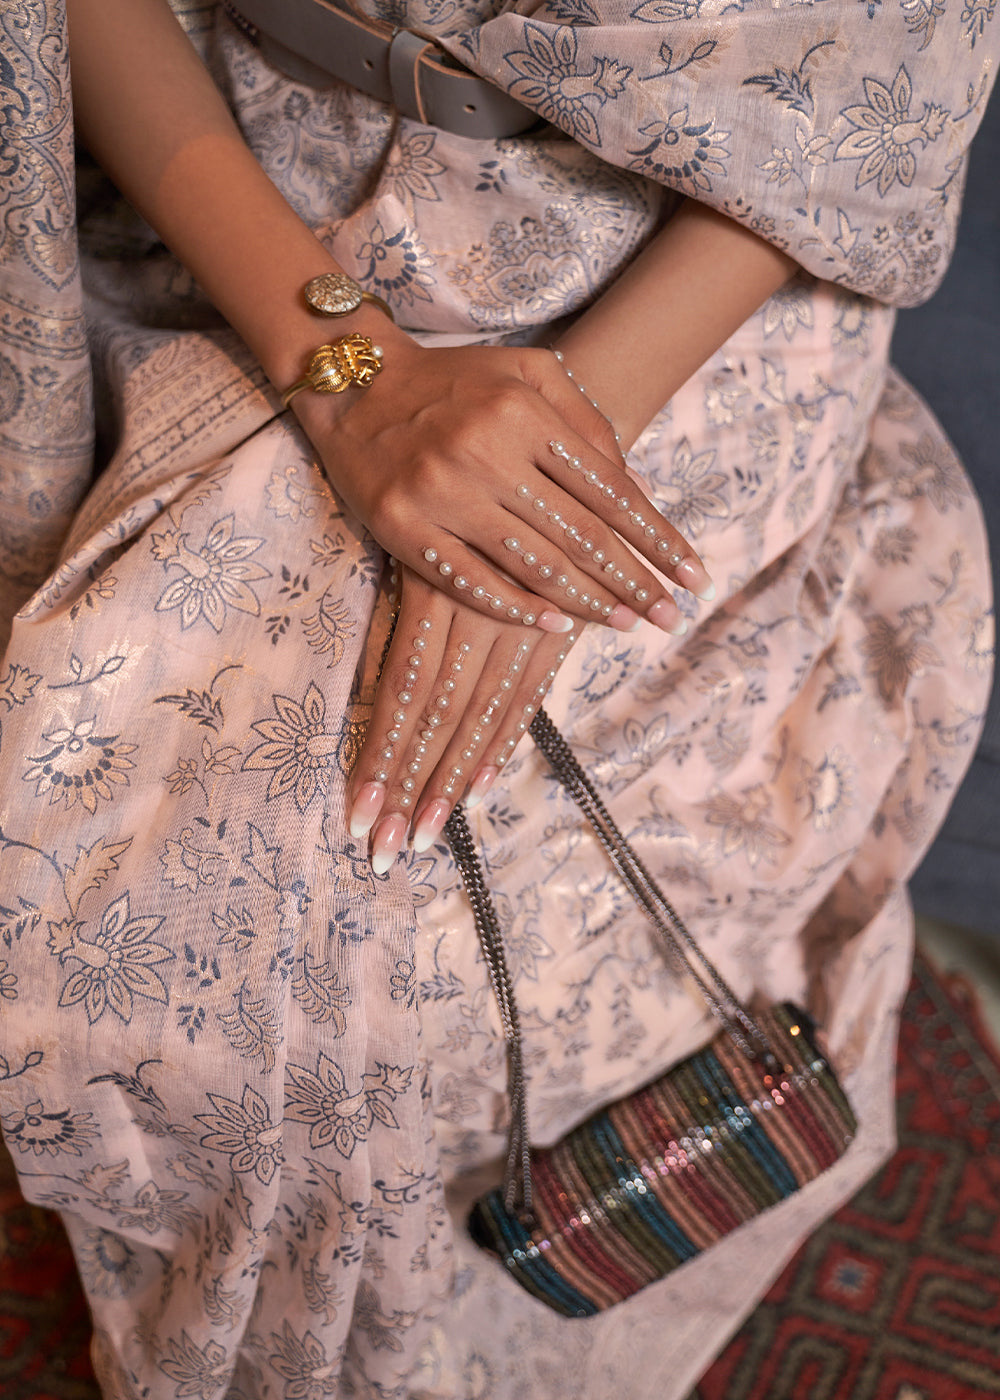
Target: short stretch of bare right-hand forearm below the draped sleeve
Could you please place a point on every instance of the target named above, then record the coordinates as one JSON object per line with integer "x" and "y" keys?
{"x": 697, "y": 283}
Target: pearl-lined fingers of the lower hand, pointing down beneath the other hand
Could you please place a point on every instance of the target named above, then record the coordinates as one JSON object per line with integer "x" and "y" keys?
{"x": 456, "y": 695}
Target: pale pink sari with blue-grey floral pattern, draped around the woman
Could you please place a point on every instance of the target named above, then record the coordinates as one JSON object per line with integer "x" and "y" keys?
{"x": 263, "y": 1084}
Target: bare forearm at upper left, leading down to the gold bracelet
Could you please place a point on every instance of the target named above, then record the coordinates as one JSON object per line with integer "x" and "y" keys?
{"x": 153, "y": 118}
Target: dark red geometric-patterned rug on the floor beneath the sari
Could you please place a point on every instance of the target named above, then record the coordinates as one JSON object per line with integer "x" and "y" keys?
{"x": 896, "y": 1298}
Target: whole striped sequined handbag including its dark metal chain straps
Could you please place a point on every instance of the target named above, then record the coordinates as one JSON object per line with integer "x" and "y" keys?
{"x": 663, "y": 1174}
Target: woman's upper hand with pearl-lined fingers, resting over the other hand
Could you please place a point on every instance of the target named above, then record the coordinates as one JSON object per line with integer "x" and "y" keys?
{"x": 485, "y": 471}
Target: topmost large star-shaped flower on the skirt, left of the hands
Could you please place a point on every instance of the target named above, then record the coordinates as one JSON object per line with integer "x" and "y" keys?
{"x": 214, "y": 577}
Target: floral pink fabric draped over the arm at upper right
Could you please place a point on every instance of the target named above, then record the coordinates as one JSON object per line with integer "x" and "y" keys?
{"x": 837, "y": 129}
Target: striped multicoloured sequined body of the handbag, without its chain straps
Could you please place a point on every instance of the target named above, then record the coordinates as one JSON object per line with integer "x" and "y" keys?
{"x": 659, "y": 1177}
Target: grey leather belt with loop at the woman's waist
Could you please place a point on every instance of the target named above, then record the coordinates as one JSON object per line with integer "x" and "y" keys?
{"x": 316, "y": 43}
